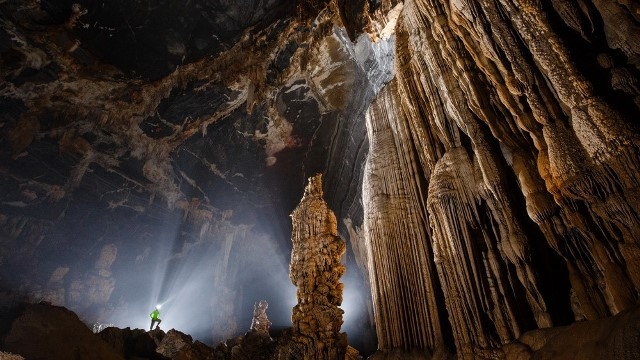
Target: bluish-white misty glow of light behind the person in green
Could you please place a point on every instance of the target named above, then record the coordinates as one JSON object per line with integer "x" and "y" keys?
{"x": 188, "y": 277}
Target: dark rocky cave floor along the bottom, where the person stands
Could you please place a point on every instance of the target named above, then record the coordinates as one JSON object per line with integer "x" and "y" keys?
{"x": 43, "y": 331}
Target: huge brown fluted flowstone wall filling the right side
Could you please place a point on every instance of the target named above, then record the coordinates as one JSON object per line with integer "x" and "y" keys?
{"x": 503, "y": 171}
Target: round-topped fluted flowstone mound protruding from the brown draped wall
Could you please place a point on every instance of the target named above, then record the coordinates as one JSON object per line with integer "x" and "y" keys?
{"x": 469, "y": 260}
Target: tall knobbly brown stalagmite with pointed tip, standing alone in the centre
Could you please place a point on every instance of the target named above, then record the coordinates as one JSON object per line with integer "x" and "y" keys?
{"x": 316, "y": 270}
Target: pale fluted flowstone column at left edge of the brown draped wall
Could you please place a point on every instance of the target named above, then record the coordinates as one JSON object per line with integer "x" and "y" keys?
{"x": 399, "y": 256}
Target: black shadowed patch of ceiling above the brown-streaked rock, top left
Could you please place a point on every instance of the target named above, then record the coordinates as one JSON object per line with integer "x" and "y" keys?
{"x": 151, "y": 39}
